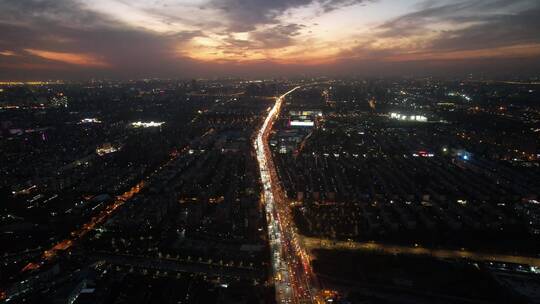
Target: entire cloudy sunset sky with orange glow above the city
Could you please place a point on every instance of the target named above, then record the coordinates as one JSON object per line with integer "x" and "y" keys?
{"x": 77, "y": 39}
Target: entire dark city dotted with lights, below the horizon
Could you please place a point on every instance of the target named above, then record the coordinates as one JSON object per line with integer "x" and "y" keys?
{"x": 219, "y": 188}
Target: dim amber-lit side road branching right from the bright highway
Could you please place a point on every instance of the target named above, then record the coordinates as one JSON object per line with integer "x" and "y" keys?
{"x": 319, "y": 243}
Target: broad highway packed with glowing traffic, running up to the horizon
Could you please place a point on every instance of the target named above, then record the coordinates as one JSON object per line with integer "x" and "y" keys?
{"x": 292, "y": 274}
